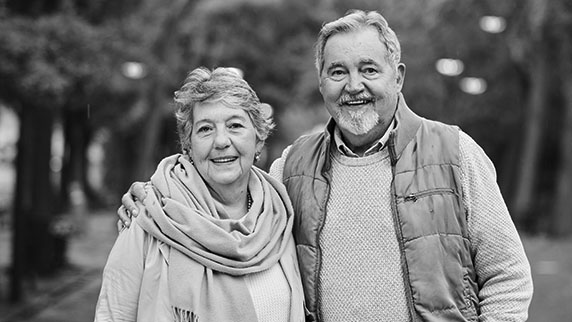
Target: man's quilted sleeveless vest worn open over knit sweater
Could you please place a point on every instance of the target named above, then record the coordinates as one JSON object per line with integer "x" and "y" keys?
{"x": 428, "y": 213}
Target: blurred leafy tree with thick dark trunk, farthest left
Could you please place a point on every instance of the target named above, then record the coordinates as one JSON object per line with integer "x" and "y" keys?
{"x": 50, "y": 60}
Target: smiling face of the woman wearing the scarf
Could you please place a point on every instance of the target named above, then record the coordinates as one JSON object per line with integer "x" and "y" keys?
{"x": 223, "y": 145}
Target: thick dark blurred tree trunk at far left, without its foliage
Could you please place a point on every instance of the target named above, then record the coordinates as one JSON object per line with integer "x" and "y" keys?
{"x": 33, "y": 245}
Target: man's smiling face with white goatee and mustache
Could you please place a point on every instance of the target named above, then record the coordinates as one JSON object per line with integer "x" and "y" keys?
{"x": 359, "y": 86}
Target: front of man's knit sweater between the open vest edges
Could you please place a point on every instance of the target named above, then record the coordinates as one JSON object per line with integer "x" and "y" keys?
{"x": 359, "y": 229}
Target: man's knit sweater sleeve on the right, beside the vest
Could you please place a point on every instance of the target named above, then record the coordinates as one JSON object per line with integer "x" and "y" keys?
{"x": 503, "y": 270}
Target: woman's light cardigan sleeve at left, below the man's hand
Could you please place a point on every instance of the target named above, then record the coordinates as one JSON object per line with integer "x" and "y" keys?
{"x": 122, "y": 276}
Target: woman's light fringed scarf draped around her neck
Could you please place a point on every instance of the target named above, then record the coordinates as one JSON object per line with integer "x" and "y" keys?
{"x": 210, "y": 252}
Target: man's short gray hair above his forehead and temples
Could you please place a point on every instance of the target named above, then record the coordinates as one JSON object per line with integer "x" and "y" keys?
{"x": 355, "y": 20}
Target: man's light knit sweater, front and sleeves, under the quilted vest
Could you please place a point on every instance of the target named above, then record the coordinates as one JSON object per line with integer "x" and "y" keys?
{"x": 361, "y": 277}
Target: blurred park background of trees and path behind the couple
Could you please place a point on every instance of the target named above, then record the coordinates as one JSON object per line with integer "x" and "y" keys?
{"x": 85, "y": 109}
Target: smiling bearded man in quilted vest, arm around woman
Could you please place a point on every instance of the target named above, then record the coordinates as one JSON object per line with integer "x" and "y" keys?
{"x": 398, "y": 218}
